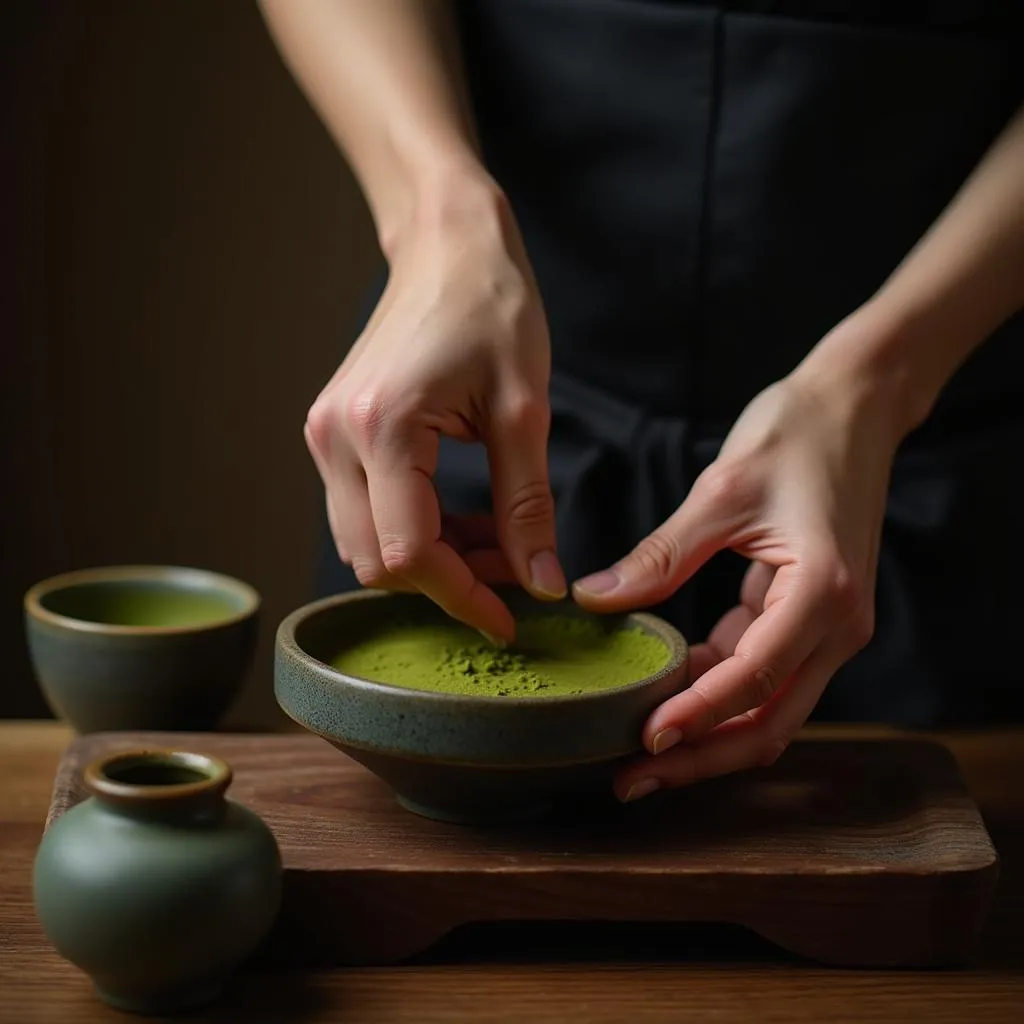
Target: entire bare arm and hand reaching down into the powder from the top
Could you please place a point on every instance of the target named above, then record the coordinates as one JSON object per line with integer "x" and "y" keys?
{"x": 458, "y": 346}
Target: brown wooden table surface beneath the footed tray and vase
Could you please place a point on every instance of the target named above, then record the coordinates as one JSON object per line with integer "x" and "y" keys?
{"x": 541, "y": 974}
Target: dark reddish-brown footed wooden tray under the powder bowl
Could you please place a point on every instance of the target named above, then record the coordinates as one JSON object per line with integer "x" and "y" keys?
{"x": 855, "y": 854}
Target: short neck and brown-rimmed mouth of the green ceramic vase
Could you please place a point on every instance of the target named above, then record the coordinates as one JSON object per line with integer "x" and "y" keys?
{"x": 161, "y": 786}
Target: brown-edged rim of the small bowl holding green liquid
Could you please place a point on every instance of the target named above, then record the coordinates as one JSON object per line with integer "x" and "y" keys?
{"x": 208, "y": 580}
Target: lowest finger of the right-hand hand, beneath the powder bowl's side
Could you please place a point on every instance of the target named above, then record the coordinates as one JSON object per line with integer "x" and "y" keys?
{"x": 756, "y": 739}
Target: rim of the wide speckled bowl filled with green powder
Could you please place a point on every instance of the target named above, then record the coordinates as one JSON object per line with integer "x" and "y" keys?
{"x": 679, "y": 654}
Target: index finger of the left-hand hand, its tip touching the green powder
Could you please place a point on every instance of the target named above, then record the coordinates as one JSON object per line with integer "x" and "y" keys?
{"x": 408, "y": 522}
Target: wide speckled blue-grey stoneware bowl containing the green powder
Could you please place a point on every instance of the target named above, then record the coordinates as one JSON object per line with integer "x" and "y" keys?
{"x": 464, "y": 759}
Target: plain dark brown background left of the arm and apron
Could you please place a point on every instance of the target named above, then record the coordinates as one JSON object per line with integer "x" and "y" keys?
{"x": 187, "y": 251}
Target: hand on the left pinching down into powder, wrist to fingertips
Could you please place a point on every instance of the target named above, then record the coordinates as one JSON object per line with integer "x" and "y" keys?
{"x": 459, "y": 347}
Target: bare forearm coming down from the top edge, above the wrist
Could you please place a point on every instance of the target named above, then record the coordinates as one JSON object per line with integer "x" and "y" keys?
{"x": 386, "y": 78}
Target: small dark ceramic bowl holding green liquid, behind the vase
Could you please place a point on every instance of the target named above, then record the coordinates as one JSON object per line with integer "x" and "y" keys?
{"x": 142, "y": 647}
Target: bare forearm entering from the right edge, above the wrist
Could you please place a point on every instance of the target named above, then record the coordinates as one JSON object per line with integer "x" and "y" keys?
{"x": 961, "y": 282}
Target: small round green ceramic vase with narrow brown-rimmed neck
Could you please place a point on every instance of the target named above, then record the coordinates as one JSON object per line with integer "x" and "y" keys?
{"x": 157, "y": 886}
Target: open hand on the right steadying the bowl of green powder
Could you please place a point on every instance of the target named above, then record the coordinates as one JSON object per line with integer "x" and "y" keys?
{"x": 799, "y": 488}
